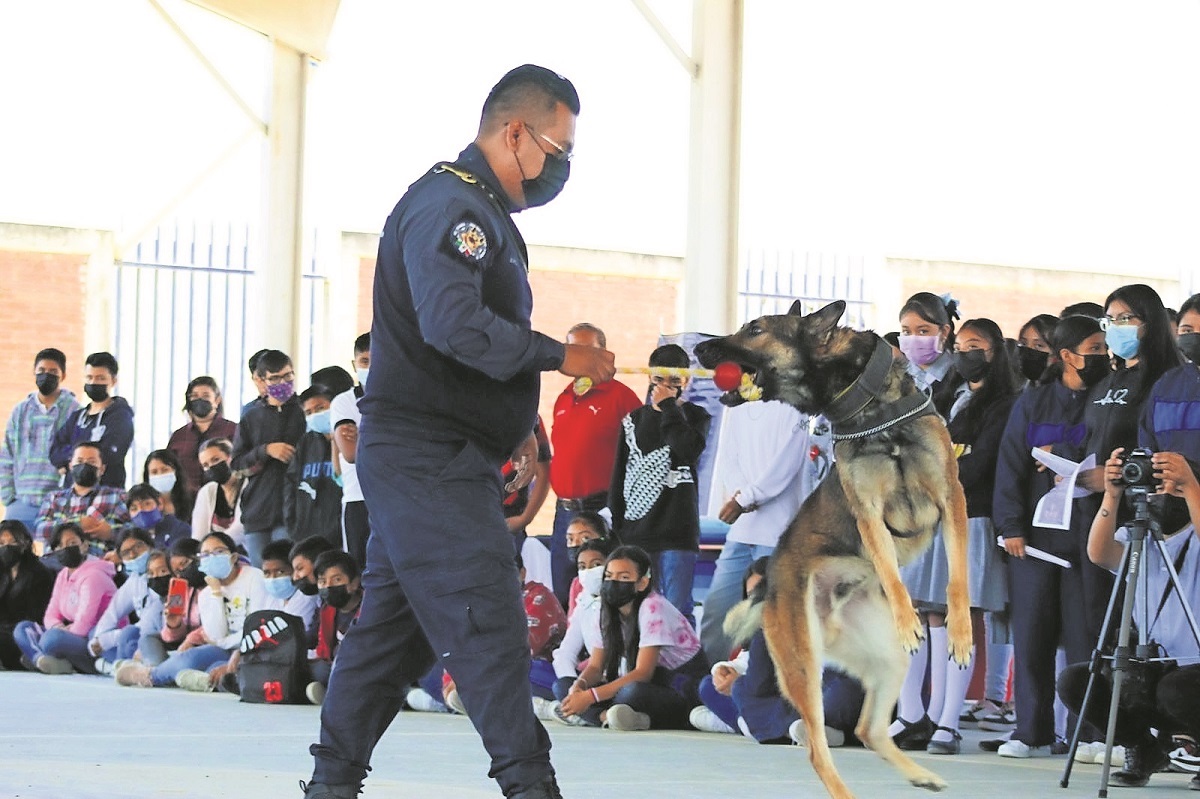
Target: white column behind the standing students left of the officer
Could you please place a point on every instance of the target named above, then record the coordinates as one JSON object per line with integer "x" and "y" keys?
{"x": 278, "y": 303}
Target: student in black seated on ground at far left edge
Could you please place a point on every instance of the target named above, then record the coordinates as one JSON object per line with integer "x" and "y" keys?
{"x": 26, "y": 587}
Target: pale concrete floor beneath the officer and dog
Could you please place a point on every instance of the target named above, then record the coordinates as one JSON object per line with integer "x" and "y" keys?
{"x": 86, "y": 738}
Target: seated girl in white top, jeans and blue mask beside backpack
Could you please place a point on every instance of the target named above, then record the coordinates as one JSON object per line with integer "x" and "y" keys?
{"x": 235, "y": 591}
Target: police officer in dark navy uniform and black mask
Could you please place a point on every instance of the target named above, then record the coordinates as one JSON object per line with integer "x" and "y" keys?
{"x": 453, "y": 394}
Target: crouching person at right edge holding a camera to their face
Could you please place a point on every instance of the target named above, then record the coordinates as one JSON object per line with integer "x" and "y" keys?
{"x": 1165, "y": 696}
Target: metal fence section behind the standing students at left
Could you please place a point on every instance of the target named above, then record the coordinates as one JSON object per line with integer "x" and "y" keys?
{"x": 185, "y": 307}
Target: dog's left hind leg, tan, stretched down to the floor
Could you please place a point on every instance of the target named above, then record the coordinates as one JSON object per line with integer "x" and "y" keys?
{"x": 794, "y": 639}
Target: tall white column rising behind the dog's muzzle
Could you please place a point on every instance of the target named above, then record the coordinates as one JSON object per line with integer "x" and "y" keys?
{"x": 710, "y": 290}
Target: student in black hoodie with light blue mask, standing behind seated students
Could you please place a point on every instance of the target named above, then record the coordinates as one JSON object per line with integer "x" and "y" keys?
{"x": 313, "y": 496}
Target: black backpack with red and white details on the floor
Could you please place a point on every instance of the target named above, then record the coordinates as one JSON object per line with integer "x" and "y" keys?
{"x": 274, "y": 659}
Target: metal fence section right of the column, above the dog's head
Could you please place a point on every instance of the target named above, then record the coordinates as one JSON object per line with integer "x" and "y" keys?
{"x": 771, "y": 280}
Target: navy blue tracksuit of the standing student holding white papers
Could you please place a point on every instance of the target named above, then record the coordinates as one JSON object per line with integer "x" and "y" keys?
{"x": 1046, "y": 606}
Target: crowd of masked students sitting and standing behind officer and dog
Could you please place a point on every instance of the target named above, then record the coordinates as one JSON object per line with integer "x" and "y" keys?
{"x": 155, "y": 582}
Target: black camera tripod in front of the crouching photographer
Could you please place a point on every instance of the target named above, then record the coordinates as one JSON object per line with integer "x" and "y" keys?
{"x": 1124, "y": 657}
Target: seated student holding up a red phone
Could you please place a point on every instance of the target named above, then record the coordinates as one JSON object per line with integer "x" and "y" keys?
{"x": 181, "y": 617}
